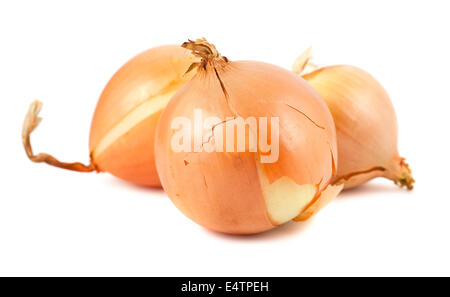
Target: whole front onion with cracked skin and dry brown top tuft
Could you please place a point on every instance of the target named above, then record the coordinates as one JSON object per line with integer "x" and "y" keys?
{"x": 235, "y": 191}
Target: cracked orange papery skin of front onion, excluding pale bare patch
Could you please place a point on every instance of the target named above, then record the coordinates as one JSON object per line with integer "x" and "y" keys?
{"x": 222, "y": 191}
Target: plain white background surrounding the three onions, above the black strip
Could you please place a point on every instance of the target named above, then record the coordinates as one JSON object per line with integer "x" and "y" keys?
{"x": 56, "y": 222}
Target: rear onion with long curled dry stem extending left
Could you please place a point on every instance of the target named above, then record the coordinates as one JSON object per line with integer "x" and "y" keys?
{"x": 124, "y": 123}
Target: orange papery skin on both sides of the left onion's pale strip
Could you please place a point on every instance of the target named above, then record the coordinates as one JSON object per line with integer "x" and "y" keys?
{"x": 147, "y": 75}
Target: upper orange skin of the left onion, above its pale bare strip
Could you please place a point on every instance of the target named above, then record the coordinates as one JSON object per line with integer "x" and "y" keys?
{"x": 144, "y": 76}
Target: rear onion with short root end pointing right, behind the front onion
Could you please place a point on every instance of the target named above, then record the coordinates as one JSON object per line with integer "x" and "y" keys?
{"x": 365, "y": 120}
